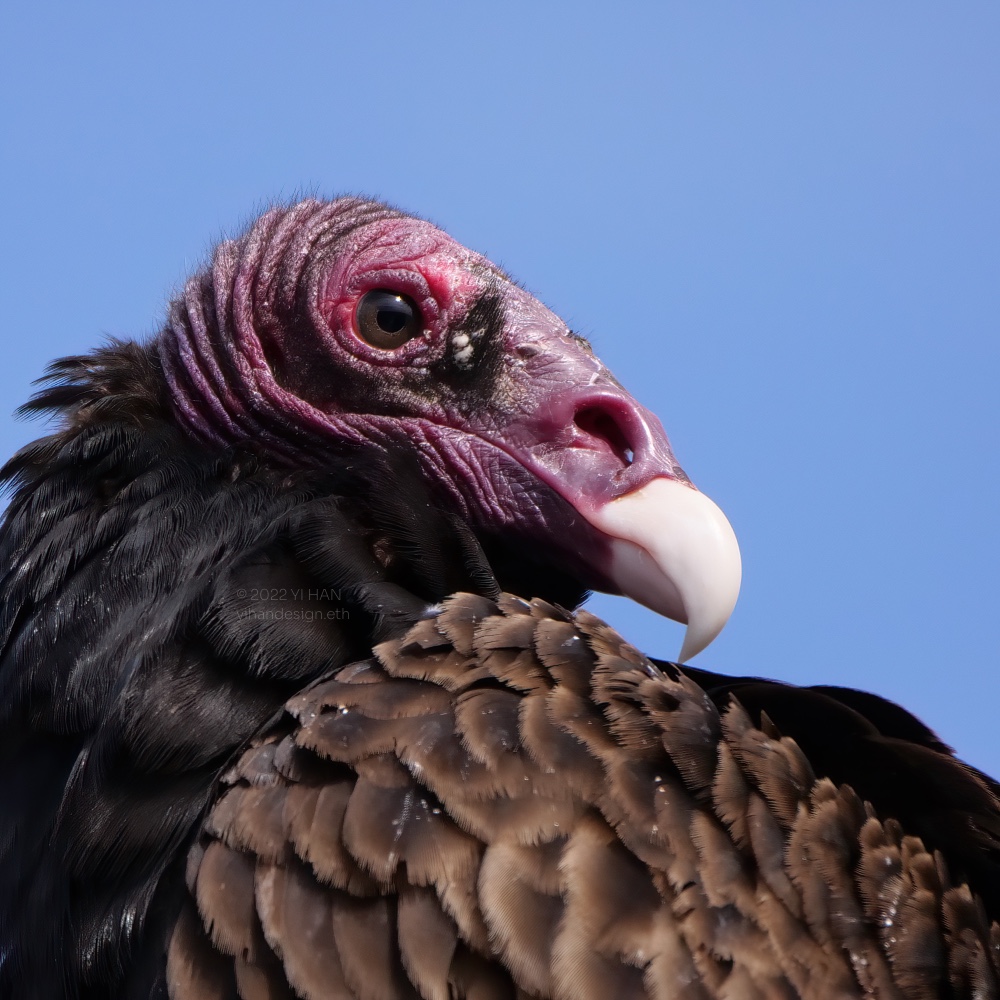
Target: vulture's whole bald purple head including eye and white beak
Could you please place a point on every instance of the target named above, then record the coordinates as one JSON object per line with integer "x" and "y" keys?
{"x": 330, "y": 329}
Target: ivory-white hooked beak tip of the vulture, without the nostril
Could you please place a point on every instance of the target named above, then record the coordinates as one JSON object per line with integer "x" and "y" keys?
{"x": 673, "y": 550}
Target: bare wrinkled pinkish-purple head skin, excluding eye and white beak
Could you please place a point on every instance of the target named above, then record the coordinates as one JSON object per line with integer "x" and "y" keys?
{"x": 540, "y": 442}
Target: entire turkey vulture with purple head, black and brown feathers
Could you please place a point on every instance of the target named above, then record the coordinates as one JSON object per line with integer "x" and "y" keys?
{"x": 273, "y": 723}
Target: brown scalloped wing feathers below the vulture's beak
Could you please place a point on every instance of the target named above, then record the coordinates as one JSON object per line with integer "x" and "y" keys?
{"x": 511, "y": 801}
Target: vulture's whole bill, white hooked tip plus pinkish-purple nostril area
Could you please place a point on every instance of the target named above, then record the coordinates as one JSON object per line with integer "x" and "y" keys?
{"x": 660, "y": 541}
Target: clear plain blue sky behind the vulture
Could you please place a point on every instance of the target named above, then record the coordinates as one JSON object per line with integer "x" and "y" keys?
{"x": 779, "y": 222}
